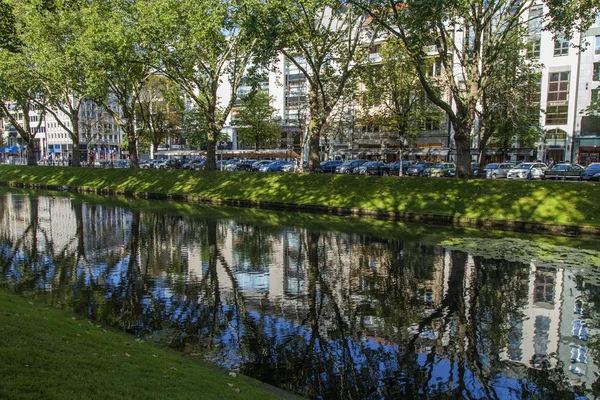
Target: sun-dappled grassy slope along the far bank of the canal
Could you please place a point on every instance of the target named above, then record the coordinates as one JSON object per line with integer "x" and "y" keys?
{"x": 569, "y": 203}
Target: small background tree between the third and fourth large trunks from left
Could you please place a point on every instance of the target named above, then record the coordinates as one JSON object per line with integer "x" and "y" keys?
{"x": 158, "y": 111}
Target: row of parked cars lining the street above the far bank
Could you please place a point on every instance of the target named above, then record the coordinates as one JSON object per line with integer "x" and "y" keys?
{"x": 509, "y": 170}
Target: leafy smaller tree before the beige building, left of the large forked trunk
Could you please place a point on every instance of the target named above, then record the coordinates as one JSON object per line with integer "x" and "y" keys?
{"x": 393, "y": 98}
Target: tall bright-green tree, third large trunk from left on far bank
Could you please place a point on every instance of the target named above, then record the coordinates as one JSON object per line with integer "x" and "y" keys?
{"x": 116, "y": 65}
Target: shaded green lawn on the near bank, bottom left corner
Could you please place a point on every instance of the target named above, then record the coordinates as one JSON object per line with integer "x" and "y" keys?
{"x": 48, "y": 354}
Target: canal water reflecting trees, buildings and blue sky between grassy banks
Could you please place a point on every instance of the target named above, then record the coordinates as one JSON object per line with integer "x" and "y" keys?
{"x": 324, "y": 307}
